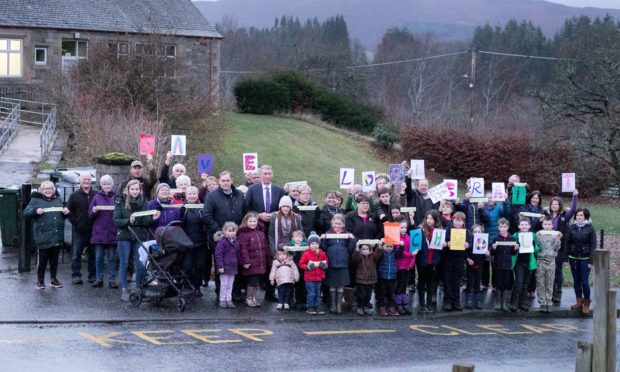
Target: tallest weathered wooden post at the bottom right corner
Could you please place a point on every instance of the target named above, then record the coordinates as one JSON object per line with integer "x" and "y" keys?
{"x": 601, "y": 295}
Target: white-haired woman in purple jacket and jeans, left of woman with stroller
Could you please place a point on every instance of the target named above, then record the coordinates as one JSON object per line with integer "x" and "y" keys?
{"x": 103, "y": 235}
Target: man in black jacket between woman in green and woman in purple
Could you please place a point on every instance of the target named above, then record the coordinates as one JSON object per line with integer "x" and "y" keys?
{"x": 78, "y": 205}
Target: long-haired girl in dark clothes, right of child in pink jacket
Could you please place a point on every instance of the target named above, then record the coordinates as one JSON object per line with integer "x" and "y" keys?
{"x": 427, "y": 262}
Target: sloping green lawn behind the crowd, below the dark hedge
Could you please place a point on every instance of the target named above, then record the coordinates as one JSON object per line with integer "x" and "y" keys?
{"x": 298, "y": 151}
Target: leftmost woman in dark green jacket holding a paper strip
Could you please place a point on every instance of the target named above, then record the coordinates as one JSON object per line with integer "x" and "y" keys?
{"x": 48, "y": 215}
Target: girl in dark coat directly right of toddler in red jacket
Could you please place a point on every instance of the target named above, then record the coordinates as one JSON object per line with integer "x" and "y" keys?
{"x": 338, "y": 252}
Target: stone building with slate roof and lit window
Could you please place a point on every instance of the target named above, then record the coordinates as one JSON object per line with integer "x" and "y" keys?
{"x": 41, "y": 39}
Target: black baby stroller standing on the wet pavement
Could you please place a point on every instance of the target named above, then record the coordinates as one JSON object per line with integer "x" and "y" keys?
{"x": 164, "y": 261}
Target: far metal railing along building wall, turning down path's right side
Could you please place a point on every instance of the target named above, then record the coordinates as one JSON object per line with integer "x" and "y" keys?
{"x": 38, "y": 113}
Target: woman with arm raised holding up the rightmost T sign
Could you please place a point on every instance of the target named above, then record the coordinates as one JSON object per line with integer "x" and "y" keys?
{"x": 560, "y": 219}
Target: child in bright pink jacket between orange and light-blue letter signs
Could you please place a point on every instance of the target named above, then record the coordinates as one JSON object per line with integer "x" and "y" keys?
{"x": 405, "y": 263}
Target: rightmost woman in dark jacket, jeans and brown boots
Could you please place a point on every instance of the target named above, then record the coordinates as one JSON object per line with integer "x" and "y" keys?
{"x": 581, "y": 245}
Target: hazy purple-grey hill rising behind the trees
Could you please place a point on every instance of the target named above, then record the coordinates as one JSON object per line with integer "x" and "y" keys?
{"x": 368, "y": 19}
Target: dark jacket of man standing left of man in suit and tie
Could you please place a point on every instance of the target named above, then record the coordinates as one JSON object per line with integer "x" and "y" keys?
{"x": 220, "y": 208}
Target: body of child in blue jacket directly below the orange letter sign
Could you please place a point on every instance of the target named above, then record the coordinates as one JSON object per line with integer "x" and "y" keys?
{"x": 386, "y": 283}
